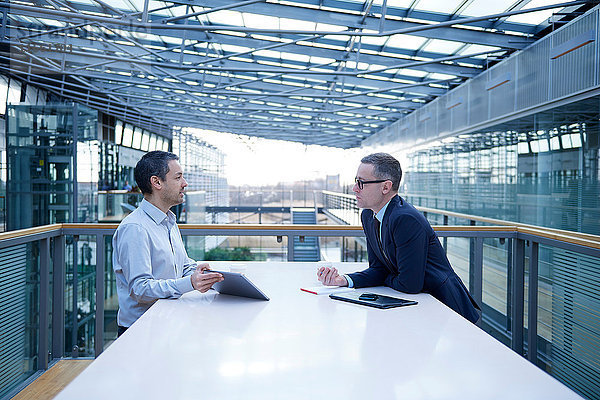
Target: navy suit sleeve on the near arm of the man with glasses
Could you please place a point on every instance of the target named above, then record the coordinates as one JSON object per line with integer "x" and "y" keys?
{"x": 410, "y": 240}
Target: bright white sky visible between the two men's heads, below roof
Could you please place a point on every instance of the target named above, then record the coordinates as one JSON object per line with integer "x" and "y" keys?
{"x": 258, "y": 161}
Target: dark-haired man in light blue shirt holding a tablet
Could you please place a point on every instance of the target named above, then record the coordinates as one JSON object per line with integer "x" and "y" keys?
{"x": 149, "y": 258}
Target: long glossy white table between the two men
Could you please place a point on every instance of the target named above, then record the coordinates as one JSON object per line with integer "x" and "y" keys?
{"x": 303, "y": 346}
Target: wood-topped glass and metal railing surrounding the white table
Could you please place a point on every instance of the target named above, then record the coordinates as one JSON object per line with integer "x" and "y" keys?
{"x": 538, "y": 288}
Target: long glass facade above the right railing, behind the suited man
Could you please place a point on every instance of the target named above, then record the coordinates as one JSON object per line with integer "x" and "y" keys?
{"x": 540, "y": 170}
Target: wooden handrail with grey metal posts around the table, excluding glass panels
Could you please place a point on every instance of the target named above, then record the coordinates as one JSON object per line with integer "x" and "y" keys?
{"x": 525, "y": 245}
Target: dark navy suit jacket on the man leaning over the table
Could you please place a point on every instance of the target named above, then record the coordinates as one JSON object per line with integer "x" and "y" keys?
{"x": 411, "y": 259}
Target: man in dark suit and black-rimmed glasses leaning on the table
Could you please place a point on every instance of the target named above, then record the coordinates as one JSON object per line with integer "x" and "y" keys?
{"x": 404, "y": 252}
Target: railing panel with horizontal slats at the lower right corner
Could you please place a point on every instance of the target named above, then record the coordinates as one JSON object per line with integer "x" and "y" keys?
{"x": 569, "y": 318}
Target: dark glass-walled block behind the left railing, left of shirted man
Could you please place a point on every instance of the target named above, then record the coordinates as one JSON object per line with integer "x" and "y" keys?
{"x": 52, "y": 167}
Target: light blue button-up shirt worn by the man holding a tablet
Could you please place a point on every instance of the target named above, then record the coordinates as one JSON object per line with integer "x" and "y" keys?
{"x": 149, "y": 260}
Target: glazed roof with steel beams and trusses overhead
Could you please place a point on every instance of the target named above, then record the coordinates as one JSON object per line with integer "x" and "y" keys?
{"x": 248, "y": 67}
